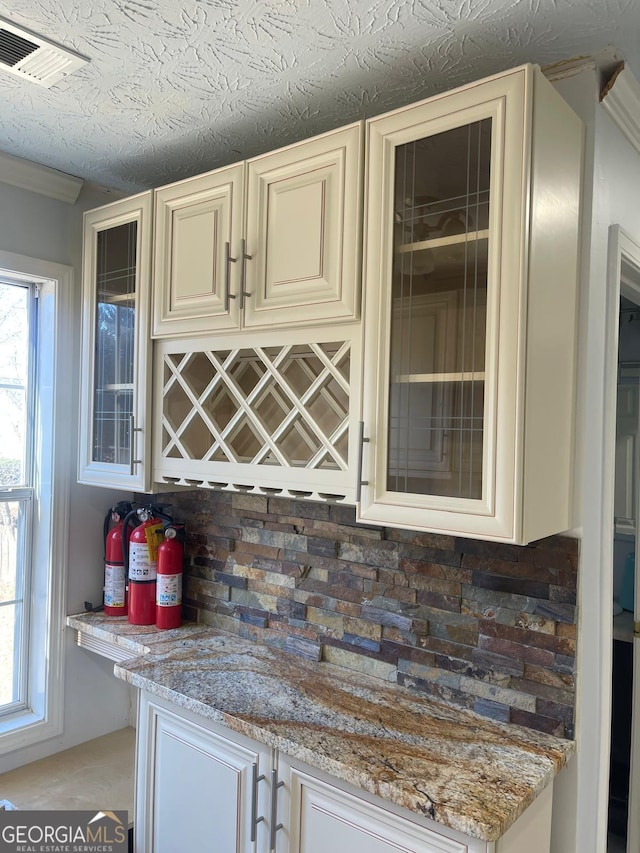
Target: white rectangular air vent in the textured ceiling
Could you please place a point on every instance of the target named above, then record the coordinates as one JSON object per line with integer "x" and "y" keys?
{"x": 34, "y": 58}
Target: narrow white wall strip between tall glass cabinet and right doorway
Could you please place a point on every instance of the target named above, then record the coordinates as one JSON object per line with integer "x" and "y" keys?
{"x": 580, "y": 802}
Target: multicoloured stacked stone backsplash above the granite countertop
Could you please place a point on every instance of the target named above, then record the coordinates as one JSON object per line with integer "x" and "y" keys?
{"x": 487, "y": 626}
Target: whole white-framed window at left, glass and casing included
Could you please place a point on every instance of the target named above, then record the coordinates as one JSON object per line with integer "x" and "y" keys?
{"x": 35, "y": 464}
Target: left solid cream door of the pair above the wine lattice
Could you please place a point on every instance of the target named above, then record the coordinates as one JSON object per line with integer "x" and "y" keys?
{"x": 198, "y": 227}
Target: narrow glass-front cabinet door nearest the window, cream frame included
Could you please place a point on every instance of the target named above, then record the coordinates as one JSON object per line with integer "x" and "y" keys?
{"x": 114, "y": 446}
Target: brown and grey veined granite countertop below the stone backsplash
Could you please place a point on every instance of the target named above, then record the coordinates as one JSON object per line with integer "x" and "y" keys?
{"x": 458, "y": 768}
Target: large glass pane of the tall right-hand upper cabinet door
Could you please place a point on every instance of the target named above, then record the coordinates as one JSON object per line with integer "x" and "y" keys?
{"x": 438, "y": 313}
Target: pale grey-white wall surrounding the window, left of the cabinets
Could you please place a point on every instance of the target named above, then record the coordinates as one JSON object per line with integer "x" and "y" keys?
{"x": 95, "y": 702}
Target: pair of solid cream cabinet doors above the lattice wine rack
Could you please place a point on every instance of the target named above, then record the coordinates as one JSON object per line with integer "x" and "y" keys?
{"x": 268, "y": 243}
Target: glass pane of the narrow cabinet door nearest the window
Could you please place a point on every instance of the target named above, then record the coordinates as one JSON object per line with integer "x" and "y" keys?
{"x": 114, "y": 344}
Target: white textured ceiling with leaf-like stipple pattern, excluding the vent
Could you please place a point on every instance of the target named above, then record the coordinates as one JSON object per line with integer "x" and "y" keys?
{"x": 173, "y": 89}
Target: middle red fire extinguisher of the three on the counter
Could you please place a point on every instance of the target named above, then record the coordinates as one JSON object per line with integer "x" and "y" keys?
{"x": 141, "y": 560}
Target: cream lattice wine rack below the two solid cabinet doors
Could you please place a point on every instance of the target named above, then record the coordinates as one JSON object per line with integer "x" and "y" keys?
{"x": 272, "y": 419}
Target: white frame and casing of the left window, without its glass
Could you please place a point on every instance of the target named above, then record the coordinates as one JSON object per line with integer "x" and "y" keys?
{"x": 44, "y": 716}
